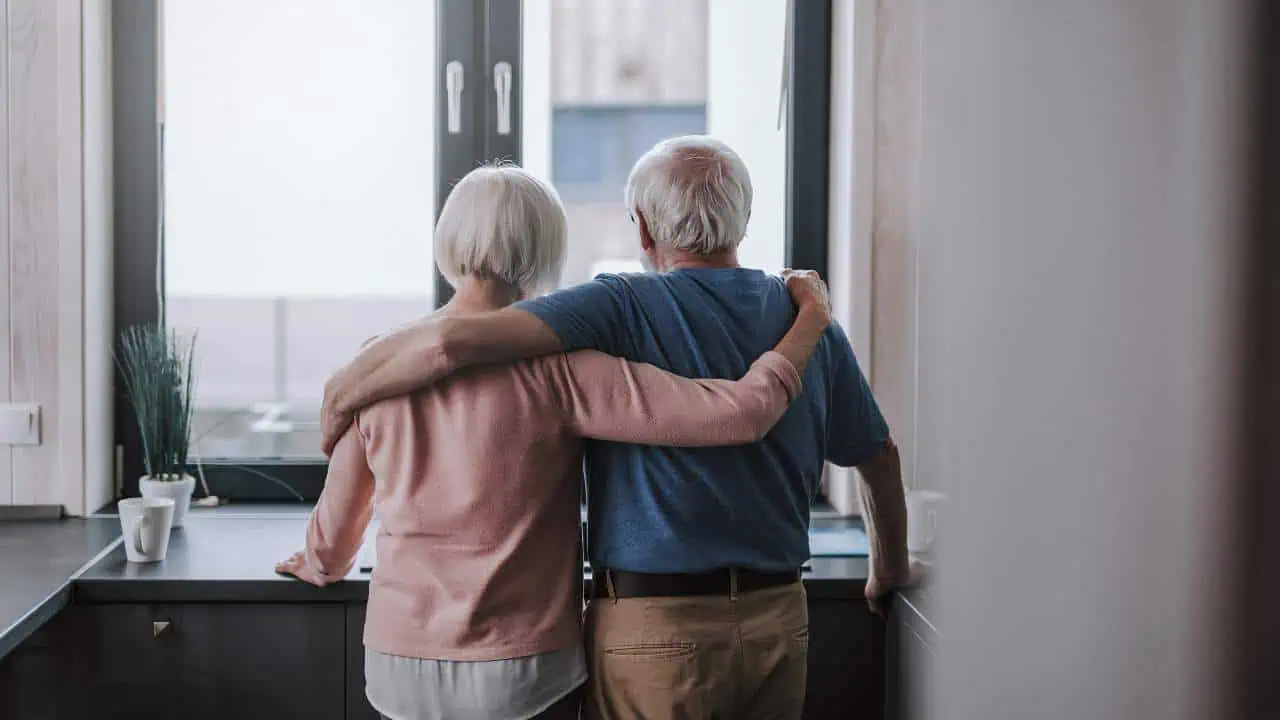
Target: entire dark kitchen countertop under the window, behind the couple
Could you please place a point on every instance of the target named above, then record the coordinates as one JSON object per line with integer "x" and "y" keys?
{"x": 225, "y": 555}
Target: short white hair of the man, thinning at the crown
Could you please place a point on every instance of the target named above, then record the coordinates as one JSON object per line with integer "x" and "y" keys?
{"x": 694, "y": 194}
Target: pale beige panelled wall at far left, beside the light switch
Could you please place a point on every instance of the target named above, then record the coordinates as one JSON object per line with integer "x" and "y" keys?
{"x": 43, "y": 208}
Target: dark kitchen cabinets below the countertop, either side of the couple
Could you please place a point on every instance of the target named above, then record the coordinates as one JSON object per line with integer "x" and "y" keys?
{"x": 246, "y": 662}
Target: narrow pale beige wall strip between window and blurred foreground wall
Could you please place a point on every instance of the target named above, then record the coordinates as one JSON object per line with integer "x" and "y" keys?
{"x": 877, "y": 101}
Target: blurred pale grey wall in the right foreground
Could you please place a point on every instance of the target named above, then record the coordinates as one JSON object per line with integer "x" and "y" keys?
{"x": 1078, "y": 239}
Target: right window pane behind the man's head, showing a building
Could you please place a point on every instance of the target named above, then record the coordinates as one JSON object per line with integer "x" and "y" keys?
{"x": 605, "y": 80}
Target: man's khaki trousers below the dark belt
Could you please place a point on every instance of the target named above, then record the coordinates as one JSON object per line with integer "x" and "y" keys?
{"x": 705, "y": 658}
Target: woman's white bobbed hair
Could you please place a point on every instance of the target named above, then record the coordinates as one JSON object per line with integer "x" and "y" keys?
{"x": 502, "y": 224}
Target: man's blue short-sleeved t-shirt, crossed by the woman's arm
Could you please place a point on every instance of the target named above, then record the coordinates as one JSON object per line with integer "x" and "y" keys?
{"x": 691, "y": 511}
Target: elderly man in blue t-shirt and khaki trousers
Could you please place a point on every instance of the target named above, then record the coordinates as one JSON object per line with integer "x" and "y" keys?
{"x": 698, "y": 607}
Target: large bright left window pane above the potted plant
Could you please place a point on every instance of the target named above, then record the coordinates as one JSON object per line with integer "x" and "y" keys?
{"x": 299, "y": 193}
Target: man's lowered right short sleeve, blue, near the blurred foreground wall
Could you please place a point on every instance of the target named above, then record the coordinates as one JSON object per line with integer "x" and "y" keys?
{"x": 856, "y": 427}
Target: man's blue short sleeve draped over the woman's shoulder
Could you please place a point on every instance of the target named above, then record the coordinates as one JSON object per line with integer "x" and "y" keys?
{"x": 584, "y": 317}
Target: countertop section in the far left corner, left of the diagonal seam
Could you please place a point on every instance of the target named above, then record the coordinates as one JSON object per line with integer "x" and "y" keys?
{"x": 39, "y": 559}
